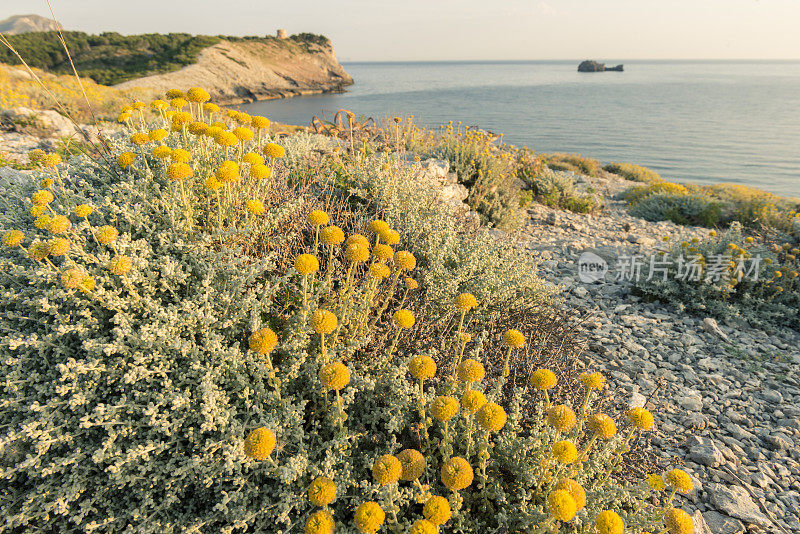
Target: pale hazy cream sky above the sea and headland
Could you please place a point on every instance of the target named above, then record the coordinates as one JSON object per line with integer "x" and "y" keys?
{"x": 466, "y": 29}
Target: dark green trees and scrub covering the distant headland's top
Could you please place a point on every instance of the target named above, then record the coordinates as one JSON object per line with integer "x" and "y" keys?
{"x": 111, "y": 58}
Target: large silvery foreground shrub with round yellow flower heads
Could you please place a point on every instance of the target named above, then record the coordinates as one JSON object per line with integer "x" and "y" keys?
{"x": 160, "y": 375}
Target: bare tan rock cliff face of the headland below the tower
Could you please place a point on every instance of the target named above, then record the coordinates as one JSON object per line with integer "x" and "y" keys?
{"x": 246, "y": 70}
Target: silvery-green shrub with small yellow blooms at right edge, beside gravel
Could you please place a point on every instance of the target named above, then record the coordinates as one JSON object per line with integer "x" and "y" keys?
{"x": 731, "y": 276}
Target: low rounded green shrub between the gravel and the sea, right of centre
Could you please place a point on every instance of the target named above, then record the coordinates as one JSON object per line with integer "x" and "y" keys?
{"x": 693, "y": 209}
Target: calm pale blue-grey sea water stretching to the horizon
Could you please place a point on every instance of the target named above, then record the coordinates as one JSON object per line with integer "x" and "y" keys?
{"x": 705, "y": 122}
